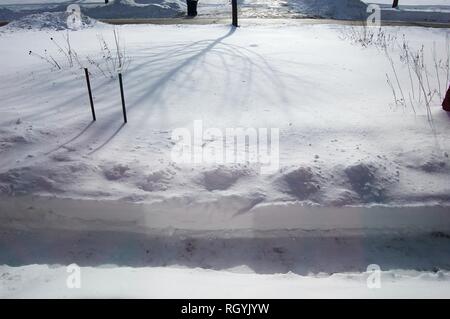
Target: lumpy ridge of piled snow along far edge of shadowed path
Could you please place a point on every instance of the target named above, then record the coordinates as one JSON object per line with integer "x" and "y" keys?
{"x": 357, "y": 183}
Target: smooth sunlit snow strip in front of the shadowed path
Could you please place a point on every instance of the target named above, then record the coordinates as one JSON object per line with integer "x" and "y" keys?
{"x": 109, "y": 282}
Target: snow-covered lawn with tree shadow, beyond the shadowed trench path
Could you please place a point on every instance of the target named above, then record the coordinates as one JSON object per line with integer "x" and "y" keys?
{"x": 343, "y": 141}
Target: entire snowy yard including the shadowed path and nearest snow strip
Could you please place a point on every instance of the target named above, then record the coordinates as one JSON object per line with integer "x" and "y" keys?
{"x": 361, "y": 177}
